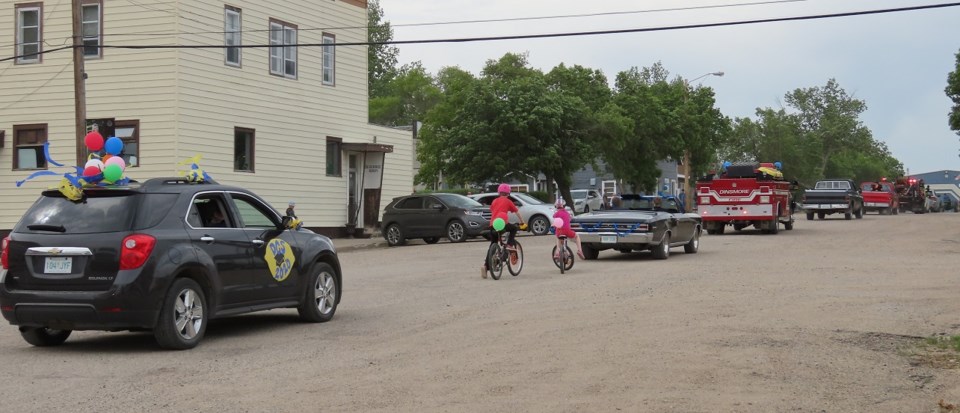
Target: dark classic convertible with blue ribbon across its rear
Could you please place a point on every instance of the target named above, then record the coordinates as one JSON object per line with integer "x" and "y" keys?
{"x": 640, "y": 223}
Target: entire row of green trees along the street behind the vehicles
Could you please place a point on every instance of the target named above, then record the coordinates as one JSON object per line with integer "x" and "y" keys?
{"x": 516, "y": 119}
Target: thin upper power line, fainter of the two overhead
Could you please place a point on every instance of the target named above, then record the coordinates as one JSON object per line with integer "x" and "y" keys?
{"x": 500, "y": 20}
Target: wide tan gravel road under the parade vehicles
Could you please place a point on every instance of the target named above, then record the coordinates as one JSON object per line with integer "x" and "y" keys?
{"x": 828, "y": 317}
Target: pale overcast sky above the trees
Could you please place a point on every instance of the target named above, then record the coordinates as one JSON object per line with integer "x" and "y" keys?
{"x": 897, "y": 63}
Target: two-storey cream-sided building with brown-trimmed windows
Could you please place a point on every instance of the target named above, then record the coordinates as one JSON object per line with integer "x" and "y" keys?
{"x": 173, "y": 103}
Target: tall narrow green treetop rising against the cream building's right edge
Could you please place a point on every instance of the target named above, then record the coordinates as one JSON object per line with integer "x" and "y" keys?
{"x": 381, "y": 58}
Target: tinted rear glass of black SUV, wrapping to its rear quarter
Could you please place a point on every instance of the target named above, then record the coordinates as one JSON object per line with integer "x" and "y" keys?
{"x": 110, "y": 211}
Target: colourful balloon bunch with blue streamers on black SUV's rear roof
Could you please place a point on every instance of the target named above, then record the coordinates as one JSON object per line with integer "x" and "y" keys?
{"x": 99, "y": 170}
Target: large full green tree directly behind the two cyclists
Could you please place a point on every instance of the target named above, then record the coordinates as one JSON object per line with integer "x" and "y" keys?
{"x": 513, "y": 119}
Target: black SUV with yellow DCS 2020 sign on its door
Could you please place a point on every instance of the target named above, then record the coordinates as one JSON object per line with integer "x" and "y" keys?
{"x": 166, "y": 255}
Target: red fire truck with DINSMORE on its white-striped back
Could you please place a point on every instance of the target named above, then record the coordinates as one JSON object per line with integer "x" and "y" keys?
{"x": 743, "y": 195}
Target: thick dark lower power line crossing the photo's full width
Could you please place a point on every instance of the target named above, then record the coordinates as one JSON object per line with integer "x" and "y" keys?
{"x": 541, "y": 36}
